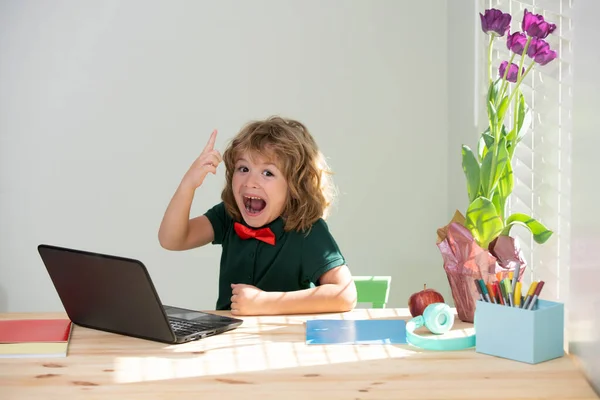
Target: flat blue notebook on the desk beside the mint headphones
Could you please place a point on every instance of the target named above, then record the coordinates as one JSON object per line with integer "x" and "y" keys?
{"x": 368, "y": 331}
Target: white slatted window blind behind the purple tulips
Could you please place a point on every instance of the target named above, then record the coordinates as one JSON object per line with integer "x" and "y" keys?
{"x": 541, "y": 162}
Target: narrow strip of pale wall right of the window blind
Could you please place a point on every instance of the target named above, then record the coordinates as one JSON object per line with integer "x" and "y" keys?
{"x": 584, "y": 301}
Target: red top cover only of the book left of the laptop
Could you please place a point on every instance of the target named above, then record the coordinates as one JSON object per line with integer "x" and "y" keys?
{"x": 34, "y": 330}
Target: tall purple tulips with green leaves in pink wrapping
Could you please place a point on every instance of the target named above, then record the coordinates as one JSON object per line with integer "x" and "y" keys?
{"x": 479, "y": 244}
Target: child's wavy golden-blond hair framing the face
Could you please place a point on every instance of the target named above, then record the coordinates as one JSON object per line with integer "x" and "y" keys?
{"x": 289, "y": 145}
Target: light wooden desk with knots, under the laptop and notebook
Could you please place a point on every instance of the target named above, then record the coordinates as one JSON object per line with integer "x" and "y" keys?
{"x": 266, "y": 358}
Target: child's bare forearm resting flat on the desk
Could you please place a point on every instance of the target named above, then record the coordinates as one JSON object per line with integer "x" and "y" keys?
{"x": 336, "y": 293}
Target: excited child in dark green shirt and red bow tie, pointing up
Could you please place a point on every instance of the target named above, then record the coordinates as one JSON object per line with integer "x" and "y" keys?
{"x": 278, "y": 256}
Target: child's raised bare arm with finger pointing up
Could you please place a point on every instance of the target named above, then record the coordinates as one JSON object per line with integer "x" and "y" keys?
{"x": 177, "y": 231}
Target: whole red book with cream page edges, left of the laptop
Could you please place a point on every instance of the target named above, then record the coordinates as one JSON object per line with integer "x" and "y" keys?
{"x": 34, "y": 338}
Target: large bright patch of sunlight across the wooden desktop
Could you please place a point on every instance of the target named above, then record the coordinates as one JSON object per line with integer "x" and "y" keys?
{"x": 267, "y": 344}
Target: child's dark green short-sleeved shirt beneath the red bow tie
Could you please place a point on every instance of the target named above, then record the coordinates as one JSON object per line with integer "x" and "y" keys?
{"x": 295, "y": 262}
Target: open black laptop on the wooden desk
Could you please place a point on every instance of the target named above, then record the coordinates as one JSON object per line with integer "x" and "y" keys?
{"x": 115, "y": 294}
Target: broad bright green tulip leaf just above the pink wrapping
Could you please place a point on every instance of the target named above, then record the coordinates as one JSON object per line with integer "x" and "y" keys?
{"x": 483, "y": 221}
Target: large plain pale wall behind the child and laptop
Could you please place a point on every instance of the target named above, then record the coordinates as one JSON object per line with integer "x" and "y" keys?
{"x": 104, "y": 104}
